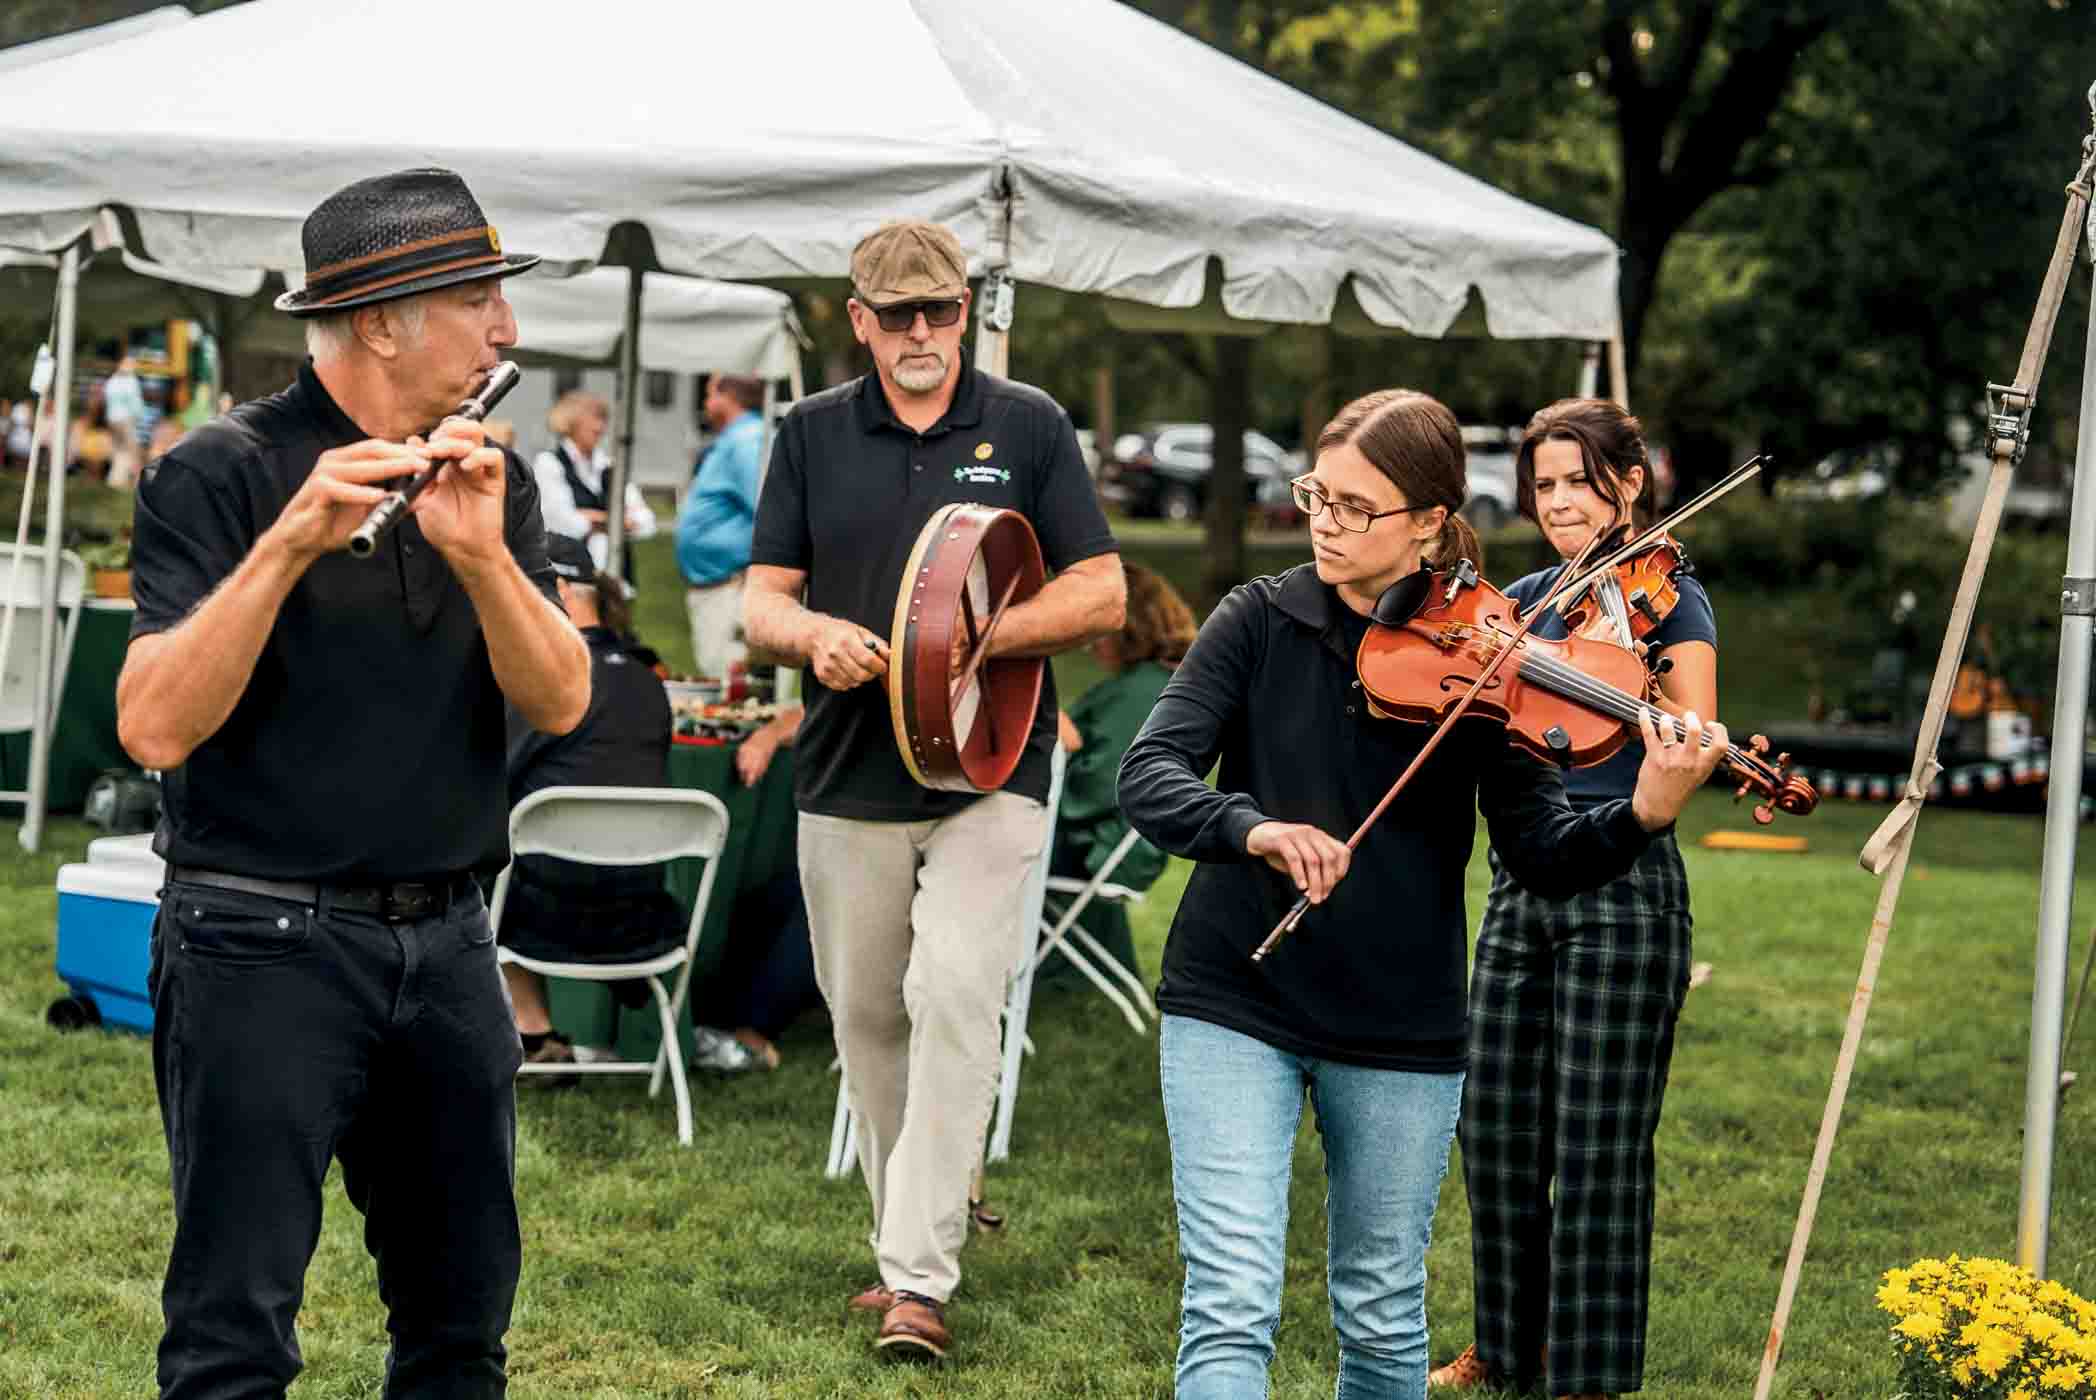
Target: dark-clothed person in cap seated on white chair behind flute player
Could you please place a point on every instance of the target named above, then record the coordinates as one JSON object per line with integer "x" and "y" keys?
{"x": 559, "y": 911}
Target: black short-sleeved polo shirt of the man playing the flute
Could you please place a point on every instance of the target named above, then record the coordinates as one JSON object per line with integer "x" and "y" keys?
{"x": 370, "y": 741}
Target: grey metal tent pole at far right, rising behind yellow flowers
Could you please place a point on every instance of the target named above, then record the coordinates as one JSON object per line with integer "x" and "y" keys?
{"x": 2064, "y": 825}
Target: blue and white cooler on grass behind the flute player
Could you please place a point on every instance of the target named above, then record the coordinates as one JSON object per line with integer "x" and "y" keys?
{"x": 106, "y": 932}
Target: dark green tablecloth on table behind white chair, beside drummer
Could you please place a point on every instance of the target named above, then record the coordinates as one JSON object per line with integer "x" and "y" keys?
{"x": 760, "y": 846}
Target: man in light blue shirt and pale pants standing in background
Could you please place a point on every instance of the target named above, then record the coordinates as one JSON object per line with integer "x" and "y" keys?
{"x": 718, "y": 519}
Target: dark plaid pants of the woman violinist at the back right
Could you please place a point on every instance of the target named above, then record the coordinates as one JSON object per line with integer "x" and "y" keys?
{"x": 1573, "y": 1013}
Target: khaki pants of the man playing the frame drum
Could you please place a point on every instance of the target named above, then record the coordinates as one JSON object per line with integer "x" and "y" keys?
{"x": 917, "y": 929}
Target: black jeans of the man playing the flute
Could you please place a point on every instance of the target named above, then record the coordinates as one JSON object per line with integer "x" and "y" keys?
{"x": 286, "y": 1036}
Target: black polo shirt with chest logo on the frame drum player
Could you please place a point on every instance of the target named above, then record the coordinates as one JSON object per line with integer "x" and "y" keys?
{"x": 846, "y": 496}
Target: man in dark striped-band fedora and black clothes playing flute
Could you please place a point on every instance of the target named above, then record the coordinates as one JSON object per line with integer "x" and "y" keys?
{"x": 332, "y": 743}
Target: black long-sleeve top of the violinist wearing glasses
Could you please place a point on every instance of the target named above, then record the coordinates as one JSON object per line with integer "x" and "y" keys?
{"x": 1376, "y": 976}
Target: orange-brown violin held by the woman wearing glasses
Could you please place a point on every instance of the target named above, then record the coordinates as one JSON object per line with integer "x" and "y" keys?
{"x": 1571, "y": 703}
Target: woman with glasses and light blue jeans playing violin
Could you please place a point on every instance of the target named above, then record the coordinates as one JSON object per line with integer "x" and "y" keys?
{"x": 1366, "y": 1005}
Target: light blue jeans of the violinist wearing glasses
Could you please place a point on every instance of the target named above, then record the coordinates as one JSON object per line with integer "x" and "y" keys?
{"x": 1231, "y": 1108}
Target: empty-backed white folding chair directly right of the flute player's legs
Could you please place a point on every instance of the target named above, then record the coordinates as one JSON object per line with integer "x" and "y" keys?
{"x": 624, "y": 827}
